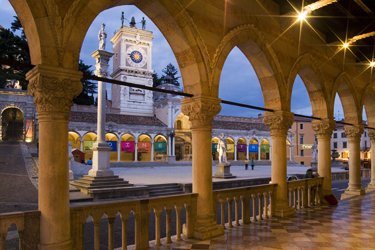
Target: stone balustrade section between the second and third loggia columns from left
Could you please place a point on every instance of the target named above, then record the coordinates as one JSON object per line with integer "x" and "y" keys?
{"x": 255, "y": 201}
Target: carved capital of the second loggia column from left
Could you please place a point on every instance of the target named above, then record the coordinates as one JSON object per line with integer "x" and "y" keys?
{"x": 201, "y": 110}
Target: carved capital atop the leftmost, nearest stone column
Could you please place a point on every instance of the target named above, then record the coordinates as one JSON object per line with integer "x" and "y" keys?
{"x": 53, "y": 89}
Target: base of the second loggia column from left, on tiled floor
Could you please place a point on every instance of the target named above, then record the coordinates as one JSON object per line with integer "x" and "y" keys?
{"x": 207, "y": 229}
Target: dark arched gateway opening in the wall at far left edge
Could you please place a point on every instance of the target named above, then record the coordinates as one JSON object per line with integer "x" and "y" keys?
{"x": 12, "y": 124}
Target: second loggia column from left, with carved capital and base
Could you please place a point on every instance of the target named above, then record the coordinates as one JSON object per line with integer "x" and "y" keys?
{"x": 201, "y": 111}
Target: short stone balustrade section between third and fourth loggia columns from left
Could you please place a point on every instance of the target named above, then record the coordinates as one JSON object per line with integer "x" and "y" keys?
{"x": 304, "y": 193}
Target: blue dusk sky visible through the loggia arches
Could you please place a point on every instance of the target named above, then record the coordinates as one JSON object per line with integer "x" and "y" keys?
{"x": 238, "y": 81}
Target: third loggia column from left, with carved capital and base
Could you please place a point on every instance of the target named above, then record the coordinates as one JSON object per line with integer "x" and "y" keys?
{"x": 279, "y": 123}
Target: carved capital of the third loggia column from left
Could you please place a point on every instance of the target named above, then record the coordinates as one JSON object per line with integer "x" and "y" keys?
{"x": 278, "y": 122}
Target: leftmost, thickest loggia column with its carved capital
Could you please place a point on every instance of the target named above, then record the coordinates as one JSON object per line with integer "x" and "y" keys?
{"x": 53, "y": 89}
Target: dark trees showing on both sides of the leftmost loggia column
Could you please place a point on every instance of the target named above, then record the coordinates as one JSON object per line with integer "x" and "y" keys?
{"x": 14, "y": 50}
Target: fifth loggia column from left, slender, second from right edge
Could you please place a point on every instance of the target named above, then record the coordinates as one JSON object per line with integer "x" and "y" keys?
{"x": 353, "y": 133}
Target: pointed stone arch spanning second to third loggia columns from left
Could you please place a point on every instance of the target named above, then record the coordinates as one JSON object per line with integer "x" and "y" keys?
{"x": 262, "y": 57}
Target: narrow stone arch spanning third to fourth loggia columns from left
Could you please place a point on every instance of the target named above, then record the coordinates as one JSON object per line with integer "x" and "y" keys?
{"x": 307, "y": 67}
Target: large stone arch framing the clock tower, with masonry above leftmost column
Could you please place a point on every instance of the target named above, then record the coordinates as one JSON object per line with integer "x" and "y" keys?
{"x": 56, "y": 40}
